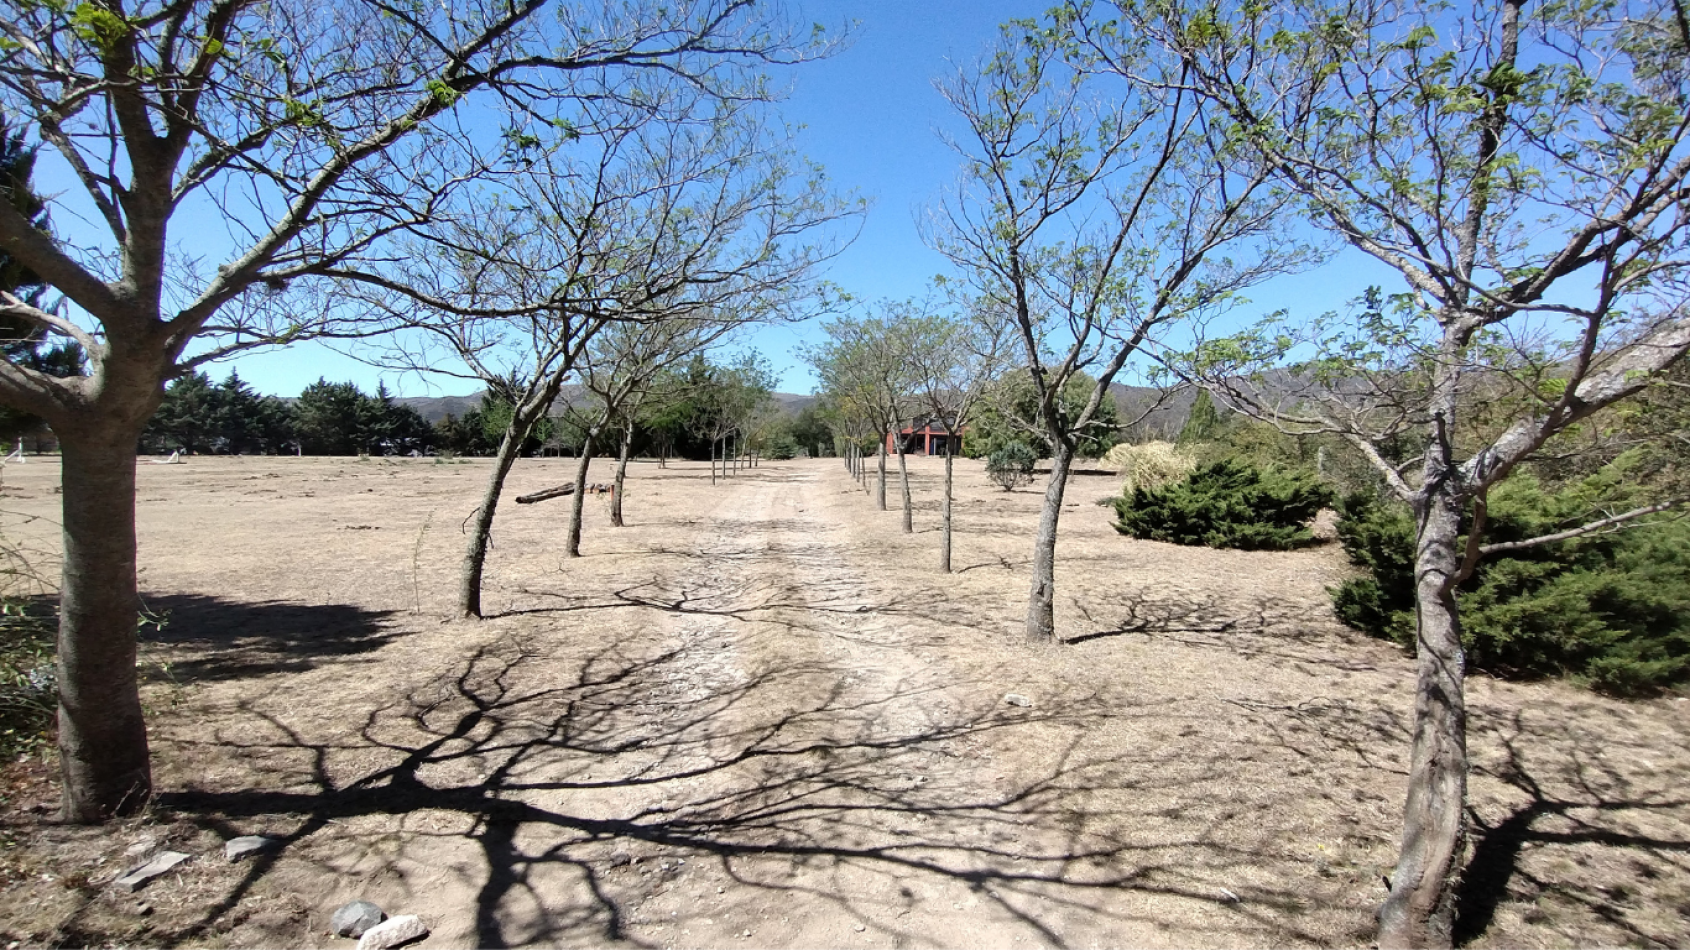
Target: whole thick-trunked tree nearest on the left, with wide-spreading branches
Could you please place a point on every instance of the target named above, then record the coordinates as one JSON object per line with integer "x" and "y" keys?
{"x": 317, "y": 131}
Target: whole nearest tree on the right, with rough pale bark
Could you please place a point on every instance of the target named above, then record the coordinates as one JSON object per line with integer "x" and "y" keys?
{"x": 1525, "y": 173}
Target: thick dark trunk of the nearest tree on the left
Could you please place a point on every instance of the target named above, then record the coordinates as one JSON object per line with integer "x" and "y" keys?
{"x": 102, "y": 729}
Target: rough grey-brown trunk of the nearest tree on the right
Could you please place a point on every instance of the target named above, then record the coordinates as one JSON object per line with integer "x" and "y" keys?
{"x": 1420, "y": 910}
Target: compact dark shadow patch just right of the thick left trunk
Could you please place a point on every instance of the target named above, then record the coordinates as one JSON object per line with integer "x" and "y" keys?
{"x": 210, "y": 638}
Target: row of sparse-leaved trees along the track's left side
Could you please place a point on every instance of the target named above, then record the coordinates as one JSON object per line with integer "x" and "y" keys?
{"x": 513, "y": 197}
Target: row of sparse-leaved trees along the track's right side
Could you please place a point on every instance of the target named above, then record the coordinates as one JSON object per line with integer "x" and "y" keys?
{"x": 1131, "y": 172}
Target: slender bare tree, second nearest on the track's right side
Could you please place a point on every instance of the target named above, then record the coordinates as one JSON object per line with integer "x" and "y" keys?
{"x": 1099, "y": 210}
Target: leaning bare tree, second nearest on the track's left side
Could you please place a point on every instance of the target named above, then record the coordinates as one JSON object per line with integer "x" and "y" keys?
{"x": 645, "y": 217}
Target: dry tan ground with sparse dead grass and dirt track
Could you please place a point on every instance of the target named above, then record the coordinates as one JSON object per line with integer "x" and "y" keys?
{"x": 760, "y": 718}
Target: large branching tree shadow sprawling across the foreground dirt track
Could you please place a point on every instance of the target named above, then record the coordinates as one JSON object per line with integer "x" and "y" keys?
{"x": 785, "y": 780}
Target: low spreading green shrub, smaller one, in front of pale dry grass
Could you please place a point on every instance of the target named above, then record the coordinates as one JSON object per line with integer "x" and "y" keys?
{"x": 1228, "y": 505}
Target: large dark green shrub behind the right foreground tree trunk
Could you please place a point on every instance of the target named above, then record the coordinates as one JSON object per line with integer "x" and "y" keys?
{"x": 1610, "y": 611}
